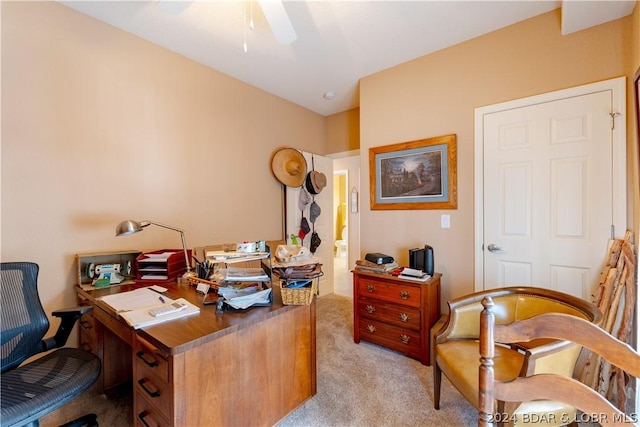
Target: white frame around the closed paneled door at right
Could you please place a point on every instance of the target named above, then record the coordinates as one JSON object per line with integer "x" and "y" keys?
{"x": 619, "y": 209}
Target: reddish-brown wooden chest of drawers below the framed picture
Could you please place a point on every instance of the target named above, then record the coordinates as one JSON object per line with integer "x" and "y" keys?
{"x": 395, "y": 313}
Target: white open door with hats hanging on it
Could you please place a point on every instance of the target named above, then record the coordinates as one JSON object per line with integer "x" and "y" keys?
{"x": 323, "y": 224}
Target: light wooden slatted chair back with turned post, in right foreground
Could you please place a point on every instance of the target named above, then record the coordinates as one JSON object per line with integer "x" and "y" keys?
{"x": 550, "y": 386}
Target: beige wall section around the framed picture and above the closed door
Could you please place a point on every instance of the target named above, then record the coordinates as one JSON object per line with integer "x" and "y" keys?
{"x": 437, "y": 94}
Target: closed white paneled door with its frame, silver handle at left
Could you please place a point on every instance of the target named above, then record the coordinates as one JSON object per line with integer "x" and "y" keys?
{"x": 550, "y": 195}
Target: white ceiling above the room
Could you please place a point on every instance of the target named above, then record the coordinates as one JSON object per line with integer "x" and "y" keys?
{"x": 338, "y": 42}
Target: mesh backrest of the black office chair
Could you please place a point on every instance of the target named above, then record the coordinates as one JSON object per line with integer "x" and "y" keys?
{"x": 24, "y": 321}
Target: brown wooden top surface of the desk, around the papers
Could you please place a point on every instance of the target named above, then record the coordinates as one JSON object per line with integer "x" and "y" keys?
{"x": 182, "y": 334}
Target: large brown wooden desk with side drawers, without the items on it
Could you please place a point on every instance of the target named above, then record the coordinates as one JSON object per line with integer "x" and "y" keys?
{"x": 236, "y": 369}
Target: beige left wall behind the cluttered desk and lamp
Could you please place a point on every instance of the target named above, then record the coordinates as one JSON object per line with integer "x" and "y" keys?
{"x": 100, "y": 126}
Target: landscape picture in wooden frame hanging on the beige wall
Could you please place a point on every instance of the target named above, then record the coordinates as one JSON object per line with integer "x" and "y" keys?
{"x": 414, "y": 175}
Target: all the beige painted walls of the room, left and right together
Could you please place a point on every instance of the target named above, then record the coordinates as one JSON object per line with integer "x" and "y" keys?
{"x": 99, "y": 126}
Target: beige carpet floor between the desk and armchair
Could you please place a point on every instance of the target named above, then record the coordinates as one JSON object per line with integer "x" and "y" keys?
{"x": 358, "y": 385}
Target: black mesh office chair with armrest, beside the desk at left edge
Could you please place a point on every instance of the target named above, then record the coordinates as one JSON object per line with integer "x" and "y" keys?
{"x": 38, "y": 387}
